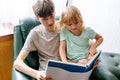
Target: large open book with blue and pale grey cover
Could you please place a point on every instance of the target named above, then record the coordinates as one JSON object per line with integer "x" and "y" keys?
{"x": 59, "y": 70}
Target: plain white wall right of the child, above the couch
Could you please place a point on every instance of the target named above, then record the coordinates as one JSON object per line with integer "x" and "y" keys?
{"x": 104, "y": 17}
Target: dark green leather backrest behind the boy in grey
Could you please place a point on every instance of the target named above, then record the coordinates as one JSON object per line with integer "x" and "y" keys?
{"x": 20, "y": 34}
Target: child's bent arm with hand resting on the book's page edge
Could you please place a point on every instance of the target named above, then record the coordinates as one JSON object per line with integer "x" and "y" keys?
{"x": 93, "y": 47}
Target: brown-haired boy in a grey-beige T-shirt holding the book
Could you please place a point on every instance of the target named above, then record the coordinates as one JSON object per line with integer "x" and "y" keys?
{"x": 43, "y": 38}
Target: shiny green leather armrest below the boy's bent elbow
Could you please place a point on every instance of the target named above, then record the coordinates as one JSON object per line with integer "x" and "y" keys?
{"x": 16, "y": 75}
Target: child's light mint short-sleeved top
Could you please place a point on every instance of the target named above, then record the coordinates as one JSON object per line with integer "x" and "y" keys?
{"x": 77, "y": 46}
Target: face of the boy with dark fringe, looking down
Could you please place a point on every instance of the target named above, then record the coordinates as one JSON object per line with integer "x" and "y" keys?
{"x": 48, "y": 22}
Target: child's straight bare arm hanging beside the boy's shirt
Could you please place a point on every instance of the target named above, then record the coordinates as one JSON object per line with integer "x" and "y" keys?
{"x": 62, "y": 51}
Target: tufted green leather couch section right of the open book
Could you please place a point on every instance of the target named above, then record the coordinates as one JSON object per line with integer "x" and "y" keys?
{"x": 109, "y": 67}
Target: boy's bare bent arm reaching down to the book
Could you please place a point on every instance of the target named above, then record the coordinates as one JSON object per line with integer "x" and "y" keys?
{"x": 21, "y": 66}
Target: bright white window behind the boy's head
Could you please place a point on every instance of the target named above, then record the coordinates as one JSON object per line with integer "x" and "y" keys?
{"x": 11, "y": 11}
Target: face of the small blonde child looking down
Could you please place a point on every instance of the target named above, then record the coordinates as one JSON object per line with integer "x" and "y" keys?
{"x": 73, "y": 27}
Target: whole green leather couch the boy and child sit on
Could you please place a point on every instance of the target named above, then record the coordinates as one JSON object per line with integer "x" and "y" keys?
{"x": 108, "y": 69}
